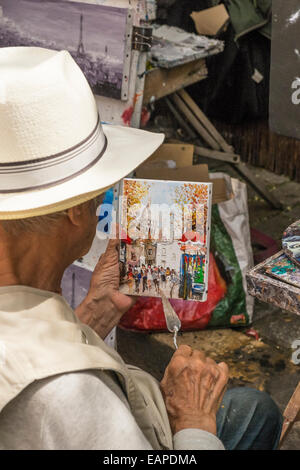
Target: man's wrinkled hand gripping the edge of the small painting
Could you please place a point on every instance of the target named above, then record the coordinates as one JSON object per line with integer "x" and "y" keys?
{"x": 104, "y": 305}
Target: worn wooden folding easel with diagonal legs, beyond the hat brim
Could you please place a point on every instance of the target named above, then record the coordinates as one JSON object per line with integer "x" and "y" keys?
{"x": 169, "y": 84}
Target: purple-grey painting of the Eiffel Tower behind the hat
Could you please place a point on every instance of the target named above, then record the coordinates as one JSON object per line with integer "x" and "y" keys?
{"x": 95, "y": 36}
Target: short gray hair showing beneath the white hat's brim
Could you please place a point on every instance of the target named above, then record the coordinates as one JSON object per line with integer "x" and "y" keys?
{"x": 41, "y": 223}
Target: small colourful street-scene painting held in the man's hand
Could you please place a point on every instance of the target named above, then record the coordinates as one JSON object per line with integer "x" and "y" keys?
{"x": 167, "y": 246}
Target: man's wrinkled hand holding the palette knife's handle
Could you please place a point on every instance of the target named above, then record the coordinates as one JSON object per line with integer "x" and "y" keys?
{"x": 193, "y": 387}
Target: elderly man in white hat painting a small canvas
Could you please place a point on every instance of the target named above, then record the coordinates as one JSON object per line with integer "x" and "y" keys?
{"x": 61, "y": 386}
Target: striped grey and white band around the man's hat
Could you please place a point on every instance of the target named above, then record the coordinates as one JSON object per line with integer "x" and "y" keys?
{"x": 55, "y": 169}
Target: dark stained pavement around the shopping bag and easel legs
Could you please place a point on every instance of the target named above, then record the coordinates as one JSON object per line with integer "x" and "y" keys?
{"x": 265, "y": 364}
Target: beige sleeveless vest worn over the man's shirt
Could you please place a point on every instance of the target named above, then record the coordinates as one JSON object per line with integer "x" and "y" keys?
{"x": 40, "y": 336}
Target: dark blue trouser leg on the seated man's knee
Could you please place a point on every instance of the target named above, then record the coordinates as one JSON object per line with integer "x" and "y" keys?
{"x": 249, "y": 420}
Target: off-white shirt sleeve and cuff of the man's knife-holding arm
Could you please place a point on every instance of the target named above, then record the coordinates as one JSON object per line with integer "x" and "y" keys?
{"x": 81, "y": 411}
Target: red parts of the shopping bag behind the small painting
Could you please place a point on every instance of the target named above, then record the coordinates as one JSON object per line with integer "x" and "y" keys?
{"x": 147, "y": 313}
